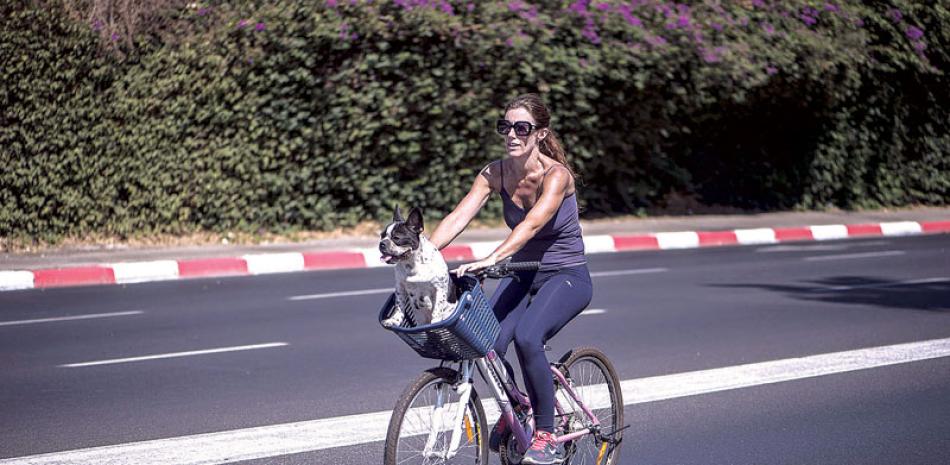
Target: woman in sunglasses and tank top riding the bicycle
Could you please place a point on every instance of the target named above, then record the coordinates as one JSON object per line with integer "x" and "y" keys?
{"x": 536, "y": 185}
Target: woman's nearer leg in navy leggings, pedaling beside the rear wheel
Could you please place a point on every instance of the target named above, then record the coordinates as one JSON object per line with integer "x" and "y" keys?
{"x": 558, "y": 301}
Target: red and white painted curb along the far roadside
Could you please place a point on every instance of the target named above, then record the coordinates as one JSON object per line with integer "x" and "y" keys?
{"x": 255, "y": 264}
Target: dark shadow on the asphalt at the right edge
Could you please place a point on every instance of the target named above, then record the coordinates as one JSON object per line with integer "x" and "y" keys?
{"x": 932, "y": 295}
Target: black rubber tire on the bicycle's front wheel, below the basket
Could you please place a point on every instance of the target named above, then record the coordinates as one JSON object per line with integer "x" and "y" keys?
{"x": 398, "y": 432}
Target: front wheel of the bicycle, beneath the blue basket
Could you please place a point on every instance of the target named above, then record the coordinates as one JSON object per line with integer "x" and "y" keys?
{"x": 423, "y": 424}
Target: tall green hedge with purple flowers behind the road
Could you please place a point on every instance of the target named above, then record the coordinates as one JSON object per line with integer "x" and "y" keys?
{"x": 272, "y": 116}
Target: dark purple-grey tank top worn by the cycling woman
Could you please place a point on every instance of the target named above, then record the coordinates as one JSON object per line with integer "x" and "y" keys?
{"x": 558, "y": 244}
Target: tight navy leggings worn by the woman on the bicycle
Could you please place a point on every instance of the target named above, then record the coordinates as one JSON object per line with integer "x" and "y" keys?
{"x": 555, "y": 298}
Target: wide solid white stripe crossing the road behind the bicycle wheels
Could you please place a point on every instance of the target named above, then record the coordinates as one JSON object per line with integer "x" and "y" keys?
{"x": 327, "y": 433}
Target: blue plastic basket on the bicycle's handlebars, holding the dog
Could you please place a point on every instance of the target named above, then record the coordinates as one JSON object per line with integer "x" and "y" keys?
{"x": 469, "y": 332}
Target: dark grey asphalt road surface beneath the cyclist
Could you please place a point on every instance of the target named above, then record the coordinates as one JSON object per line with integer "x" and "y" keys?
{"x": 283, "y": 356}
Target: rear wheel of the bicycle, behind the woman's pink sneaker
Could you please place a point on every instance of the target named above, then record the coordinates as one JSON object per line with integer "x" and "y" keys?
{"x": 597, "y": 386}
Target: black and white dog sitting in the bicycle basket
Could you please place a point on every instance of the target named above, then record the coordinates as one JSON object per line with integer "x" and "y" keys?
{"x": 424, "y": 291}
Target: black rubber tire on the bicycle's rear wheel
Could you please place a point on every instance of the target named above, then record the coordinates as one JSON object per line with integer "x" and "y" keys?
{"x": 587, "y": 448}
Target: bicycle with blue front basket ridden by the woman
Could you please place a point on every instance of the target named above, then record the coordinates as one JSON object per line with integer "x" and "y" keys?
{"x": 440, "y": 419}
